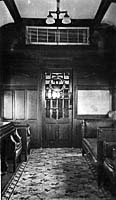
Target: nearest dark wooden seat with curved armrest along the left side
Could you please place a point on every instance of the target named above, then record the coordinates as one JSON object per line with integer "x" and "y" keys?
{"x": 11, "y": 146}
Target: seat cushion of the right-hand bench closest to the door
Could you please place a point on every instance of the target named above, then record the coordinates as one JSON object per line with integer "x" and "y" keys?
{"x": 90, "y": 145}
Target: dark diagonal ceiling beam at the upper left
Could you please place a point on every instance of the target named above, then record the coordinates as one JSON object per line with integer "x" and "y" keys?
{"x": 13, "y": 10}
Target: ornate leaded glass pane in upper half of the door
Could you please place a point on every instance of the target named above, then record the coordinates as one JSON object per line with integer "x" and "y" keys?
{"x": 57, "y": 95}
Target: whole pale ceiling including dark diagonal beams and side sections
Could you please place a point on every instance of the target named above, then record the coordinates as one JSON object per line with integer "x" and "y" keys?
{"x": 77, "y": 9}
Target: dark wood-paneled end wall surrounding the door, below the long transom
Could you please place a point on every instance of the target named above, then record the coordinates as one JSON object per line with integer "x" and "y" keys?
{"x": 92, "y": 66}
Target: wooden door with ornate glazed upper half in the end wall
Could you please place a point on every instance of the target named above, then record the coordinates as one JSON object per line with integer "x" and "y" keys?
{"x": 57, "y": 109}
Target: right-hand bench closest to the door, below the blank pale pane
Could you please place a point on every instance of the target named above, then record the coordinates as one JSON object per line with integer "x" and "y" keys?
{"x": 92, "y": 144}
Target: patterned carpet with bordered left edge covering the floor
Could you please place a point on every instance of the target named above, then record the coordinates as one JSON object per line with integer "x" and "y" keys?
{"x": 55, "y": 174}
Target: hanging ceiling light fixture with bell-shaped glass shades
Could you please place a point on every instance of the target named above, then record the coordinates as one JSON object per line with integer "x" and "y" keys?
{"x": 50, "y": 19}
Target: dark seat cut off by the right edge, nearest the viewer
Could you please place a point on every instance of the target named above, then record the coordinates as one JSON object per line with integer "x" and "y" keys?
{"x": 108, "y": 136}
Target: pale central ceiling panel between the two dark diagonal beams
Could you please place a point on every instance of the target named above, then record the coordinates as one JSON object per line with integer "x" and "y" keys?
{"x": 76, "y": 8}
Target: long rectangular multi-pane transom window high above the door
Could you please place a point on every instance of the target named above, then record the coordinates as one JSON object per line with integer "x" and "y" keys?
{"x": 57, "y": 36}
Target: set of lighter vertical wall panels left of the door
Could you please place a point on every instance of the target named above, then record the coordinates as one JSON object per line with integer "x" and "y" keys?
{"x": 20, "y": 104}
